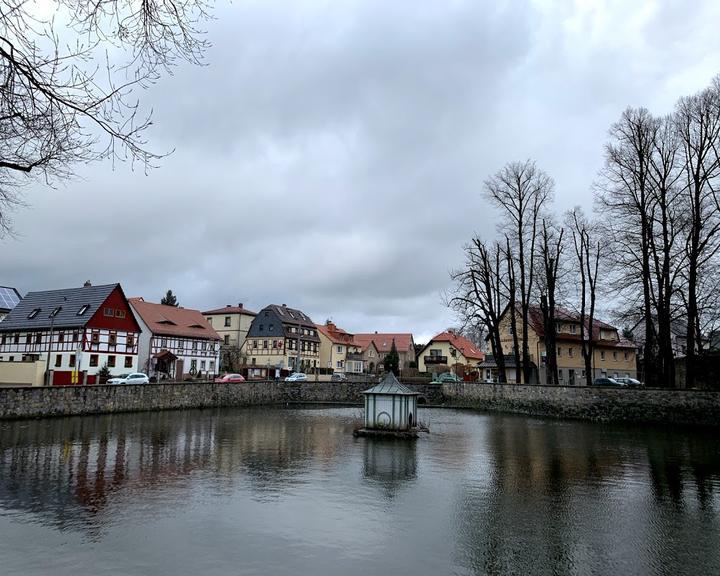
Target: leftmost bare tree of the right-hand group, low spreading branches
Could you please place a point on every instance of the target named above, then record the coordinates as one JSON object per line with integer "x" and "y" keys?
{"x": 478, "y": 299}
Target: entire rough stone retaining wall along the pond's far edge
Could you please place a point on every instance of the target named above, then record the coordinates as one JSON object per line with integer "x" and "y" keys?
{"x": 605, "y": 404}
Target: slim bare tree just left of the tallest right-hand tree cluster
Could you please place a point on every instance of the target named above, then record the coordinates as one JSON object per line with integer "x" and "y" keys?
{"x": 587, "y": 261}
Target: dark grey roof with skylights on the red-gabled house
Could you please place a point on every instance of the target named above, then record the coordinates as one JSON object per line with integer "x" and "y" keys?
{"x": 71, "y": 300}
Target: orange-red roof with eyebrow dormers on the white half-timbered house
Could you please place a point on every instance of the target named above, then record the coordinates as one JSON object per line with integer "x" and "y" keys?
{"x": 173, "y": 320}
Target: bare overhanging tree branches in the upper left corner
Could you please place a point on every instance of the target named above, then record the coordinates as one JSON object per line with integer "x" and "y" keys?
{"x": 67, "y": 82}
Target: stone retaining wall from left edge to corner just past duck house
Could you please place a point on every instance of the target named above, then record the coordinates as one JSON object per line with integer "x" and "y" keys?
{"x": 74, "y": 400}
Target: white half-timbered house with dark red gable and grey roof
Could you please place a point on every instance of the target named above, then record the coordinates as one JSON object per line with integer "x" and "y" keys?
{"x": 75, "y": 331}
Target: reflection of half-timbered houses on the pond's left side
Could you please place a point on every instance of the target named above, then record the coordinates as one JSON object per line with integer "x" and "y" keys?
{"x": 67, "y": 470}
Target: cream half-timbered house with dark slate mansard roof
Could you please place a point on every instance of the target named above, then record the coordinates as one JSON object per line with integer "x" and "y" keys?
{"x": 279, "y": 336}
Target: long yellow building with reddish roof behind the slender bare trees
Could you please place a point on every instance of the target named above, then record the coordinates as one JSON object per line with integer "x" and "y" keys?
{"x": 613, "y": 356}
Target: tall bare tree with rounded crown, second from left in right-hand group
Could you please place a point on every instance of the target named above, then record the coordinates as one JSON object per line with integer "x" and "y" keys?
{"x": 521, "y": 191}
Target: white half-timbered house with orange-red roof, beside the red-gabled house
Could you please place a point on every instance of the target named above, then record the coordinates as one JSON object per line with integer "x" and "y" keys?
{"x": 176, "y": 343}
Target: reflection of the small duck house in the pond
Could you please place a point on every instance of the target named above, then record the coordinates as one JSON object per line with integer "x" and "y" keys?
{"x": 389, "y": 462}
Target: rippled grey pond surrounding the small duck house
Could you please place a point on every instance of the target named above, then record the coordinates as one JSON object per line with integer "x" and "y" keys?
{"x": 290, "y": 491}
